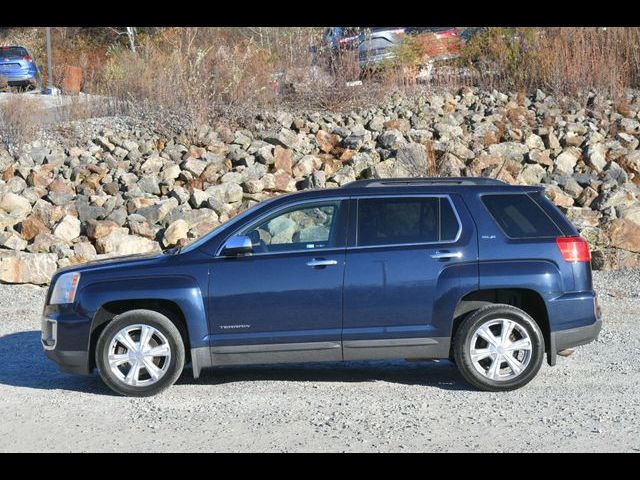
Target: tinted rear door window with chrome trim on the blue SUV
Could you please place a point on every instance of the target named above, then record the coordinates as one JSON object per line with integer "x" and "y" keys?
{"x": 396, "y": 221}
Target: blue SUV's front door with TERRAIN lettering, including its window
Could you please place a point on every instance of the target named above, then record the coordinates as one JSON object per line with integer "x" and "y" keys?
{"x": 282, "y": 303}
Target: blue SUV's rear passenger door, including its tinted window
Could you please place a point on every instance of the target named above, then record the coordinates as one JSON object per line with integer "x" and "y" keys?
{"x": 408, "y": 261}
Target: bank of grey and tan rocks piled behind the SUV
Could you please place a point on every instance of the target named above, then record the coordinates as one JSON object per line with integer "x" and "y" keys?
{"x": 116, "y": 187}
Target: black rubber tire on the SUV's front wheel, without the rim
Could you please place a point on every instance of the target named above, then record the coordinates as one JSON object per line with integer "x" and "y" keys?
{"x": 152, "y": 319}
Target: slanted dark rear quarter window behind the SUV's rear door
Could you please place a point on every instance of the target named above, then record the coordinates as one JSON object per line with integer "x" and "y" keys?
{"x": 519, "y": 216}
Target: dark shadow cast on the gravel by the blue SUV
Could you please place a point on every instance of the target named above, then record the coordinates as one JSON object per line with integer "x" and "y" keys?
{"x": 24, "y": 365}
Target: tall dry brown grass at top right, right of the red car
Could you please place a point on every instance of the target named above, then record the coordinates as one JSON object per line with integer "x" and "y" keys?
{"x": 562, "y": 60}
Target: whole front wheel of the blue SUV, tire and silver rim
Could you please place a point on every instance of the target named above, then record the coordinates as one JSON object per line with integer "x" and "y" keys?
{"x": 140, "y": 353}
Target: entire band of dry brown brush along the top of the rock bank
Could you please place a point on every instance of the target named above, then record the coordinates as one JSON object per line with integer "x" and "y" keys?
{"x": 203, "y": 74}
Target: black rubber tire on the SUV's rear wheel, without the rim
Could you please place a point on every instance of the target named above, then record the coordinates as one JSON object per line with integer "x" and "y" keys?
{"x": 464, "y": 336}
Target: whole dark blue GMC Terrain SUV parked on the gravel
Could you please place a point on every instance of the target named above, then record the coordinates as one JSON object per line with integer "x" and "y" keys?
{"x": 488, "y": 275}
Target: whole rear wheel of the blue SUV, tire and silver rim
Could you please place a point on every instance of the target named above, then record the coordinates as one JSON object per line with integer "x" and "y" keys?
{"x": 498, "y": 348}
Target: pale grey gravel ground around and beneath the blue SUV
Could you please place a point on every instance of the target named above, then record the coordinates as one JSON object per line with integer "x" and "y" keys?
{"x": 588, "y": 402}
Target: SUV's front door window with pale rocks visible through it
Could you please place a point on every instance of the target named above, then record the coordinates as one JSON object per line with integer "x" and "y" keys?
{"x": 304, "y": 227}
